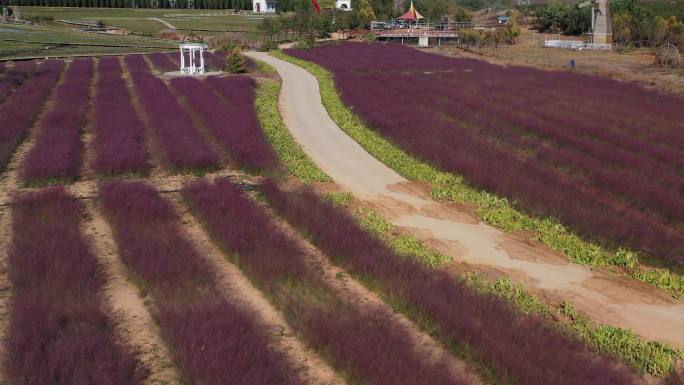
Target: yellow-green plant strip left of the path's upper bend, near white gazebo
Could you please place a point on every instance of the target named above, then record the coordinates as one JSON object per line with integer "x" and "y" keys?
{"x": 286, "y": 148}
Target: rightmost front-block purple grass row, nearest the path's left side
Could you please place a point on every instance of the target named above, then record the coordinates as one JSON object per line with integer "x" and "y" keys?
{"x": 520, "y": 348}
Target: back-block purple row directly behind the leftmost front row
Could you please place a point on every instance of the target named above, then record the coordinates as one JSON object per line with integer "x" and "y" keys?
{"x": 56, "y": 153}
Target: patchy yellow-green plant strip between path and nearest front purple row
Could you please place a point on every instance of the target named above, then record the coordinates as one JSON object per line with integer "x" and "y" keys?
{"x": 655, "y": 358}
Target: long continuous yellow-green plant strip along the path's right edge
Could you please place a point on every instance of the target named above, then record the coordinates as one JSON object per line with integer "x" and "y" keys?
{"x": 494, "y": 210}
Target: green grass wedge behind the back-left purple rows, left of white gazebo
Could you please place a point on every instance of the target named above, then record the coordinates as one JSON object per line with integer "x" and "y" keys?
{"x": 97, "y": 43}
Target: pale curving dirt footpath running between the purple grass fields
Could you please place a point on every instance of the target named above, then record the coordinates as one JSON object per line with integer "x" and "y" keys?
{"x": 454, "y": 231}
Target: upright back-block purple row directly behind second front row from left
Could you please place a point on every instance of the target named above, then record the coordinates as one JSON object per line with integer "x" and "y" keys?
{"x": 119, "y": 142}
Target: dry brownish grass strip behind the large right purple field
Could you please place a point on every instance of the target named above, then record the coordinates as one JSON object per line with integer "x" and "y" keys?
{"x": 636, "y": 66}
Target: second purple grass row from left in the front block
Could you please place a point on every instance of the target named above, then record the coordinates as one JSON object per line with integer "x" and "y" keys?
{"x": 213, "y": 342}
